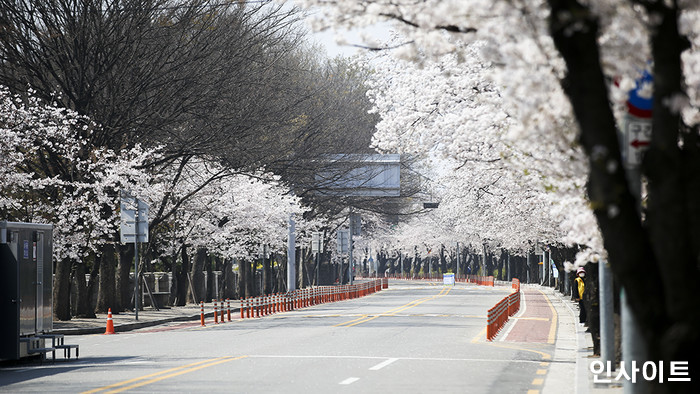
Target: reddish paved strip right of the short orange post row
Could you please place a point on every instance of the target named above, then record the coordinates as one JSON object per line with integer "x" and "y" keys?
{"x": 536, "y": 323}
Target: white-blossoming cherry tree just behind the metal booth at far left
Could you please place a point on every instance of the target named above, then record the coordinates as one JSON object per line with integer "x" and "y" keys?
{"x": 51, "y": 175}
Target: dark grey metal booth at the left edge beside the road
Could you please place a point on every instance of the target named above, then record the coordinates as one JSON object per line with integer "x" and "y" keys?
{"x": 26, "y": 285}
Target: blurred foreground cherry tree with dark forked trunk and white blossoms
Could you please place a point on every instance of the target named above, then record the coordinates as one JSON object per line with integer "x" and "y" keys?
{"x": 554, "y": 64}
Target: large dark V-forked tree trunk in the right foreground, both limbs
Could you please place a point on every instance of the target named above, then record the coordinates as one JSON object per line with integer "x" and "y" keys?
{"x": 659, "y": 298}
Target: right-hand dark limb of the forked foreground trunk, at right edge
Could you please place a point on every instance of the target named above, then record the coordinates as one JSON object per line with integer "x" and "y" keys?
{"x": 672, "y": 167}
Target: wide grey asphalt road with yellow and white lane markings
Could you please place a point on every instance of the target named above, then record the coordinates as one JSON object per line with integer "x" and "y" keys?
{"x": 414, "y": 338}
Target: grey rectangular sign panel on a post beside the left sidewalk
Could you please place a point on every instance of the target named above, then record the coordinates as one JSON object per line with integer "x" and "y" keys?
{"x": 134, "y": 228}
